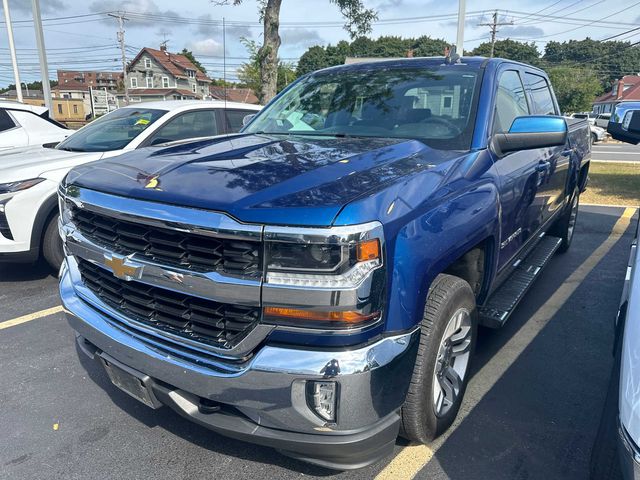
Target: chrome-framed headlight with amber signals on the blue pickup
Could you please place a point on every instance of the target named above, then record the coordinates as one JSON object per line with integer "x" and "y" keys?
{"x": 343, "y": 262}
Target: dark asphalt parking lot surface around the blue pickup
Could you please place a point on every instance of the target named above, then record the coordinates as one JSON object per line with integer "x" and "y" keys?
{"x": 531, "y": 409}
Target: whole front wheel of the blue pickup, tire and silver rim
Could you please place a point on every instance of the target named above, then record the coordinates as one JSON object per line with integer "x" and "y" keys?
{"x": 447, "y": 340}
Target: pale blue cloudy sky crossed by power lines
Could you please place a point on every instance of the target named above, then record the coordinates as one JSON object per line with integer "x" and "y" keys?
{"x": 89, "y": 42}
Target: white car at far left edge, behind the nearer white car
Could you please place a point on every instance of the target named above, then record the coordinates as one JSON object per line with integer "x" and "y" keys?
{"x": 23, "y": 125}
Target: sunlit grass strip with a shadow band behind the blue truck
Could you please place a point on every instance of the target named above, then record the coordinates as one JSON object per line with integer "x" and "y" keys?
{"x": 613, "y": 183}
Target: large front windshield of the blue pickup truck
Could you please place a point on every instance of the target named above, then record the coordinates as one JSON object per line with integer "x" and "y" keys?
{"x": 434, "y": 105}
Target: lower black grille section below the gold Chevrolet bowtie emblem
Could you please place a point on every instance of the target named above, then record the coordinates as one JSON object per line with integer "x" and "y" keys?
{"x": 201, "y": 320}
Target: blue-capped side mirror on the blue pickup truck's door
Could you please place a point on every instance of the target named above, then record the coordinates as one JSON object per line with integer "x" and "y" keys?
{"x": 534, "y": 131}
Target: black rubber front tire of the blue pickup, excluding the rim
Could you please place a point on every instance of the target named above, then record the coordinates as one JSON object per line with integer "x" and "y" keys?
{"x": 447, "y": 296}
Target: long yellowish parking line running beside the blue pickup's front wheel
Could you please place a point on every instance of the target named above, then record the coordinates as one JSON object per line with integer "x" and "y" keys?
{"x": 410, "y": 460}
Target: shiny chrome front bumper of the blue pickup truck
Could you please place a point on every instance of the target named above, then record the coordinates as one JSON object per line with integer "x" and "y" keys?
{"x": 268, "y": 389}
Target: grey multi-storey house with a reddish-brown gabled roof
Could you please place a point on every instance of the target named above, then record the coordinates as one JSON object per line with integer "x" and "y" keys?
{"x": 160, "y": 75}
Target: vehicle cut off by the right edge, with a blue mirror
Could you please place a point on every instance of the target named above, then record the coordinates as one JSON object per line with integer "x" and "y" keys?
{"x": 616, "y": 451}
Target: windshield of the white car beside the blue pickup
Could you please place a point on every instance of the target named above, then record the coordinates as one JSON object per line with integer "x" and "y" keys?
{"x": 114, "y": 131}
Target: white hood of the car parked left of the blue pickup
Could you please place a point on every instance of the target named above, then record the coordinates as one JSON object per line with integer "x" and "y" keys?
{"x": 32, "y": 162}
